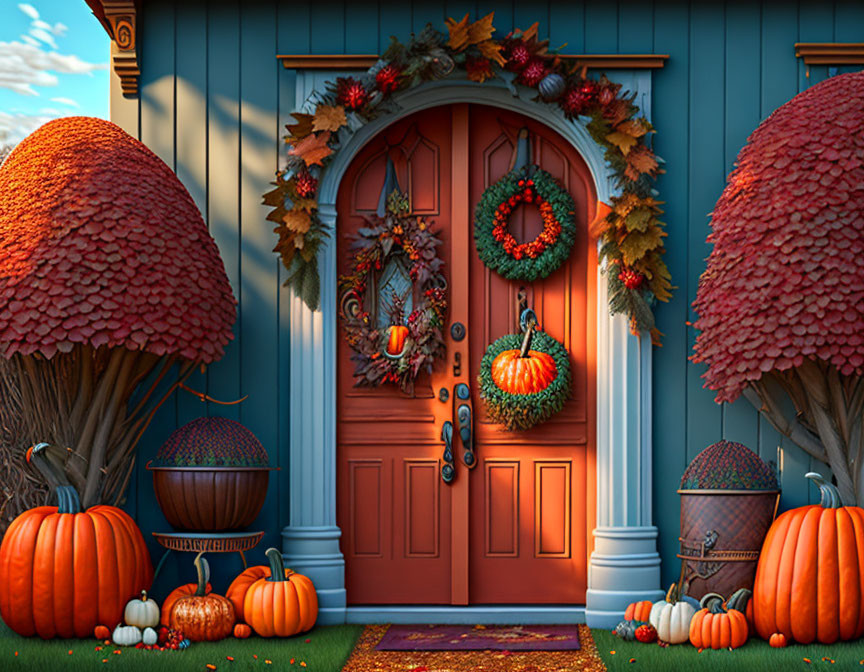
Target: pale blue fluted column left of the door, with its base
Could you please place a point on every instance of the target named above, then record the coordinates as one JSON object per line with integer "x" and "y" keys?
{"x": 310, "y": 542}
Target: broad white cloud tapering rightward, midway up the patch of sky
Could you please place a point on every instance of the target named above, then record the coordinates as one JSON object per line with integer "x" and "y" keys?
{"x": 23, "y": 66}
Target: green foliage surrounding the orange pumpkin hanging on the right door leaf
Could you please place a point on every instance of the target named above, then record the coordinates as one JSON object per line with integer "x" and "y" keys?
{"x": 523, "y": 411}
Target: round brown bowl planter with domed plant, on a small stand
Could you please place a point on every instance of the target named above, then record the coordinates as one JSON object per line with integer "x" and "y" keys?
{"x": 211, "y": 475}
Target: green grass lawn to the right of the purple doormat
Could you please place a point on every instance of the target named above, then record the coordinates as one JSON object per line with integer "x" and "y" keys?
{"x": 754, "y": 656}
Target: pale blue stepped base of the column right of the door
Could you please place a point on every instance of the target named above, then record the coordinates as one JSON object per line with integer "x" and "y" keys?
{"x": 625, "y": 568}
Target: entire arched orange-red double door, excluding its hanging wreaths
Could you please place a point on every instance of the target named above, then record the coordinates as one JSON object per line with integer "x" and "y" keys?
{"x": 515, "y": 528}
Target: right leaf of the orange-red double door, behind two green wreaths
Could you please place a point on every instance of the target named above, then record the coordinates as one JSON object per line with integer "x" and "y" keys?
{"x": 539, "y": 476}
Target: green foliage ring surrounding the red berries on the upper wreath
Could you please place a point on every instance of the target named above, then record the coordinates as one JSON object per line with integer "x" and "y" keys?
{"x": 491, "y": 251}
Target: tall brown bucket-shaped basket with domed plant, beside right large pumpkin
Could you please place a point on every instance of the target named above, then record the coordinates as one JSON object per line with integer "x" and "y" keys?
{"x": 724, "y": 524}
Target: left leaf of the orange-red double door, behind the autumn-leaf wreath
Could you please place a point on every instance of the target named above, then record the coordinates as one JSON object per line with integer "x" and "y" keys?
{"x": 388, "y": 442}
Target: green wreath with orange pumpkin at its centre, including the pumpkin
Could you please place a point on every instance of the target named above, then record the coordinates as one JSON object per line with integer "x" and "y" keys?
{"x": 524, "y": 378}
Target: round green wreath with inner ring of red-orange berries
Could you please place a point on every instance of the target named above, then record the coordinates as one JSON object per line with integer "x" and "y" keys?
{"x": 533, "y": 259}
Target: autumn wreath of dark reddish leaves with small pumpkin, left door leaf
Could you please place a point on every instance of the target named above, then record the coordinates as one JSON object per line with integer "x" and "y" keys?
{"x": 393, "y": 300}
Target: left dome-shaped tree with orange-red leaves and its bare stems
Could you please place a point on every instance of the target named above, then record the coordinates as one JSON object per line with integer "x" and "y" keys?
{"x": 107, "y": 275}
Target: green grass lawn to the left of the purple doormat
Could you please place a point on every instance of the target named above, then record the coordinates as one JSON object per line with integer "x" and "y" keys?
{"x": 326, "y": 651}
